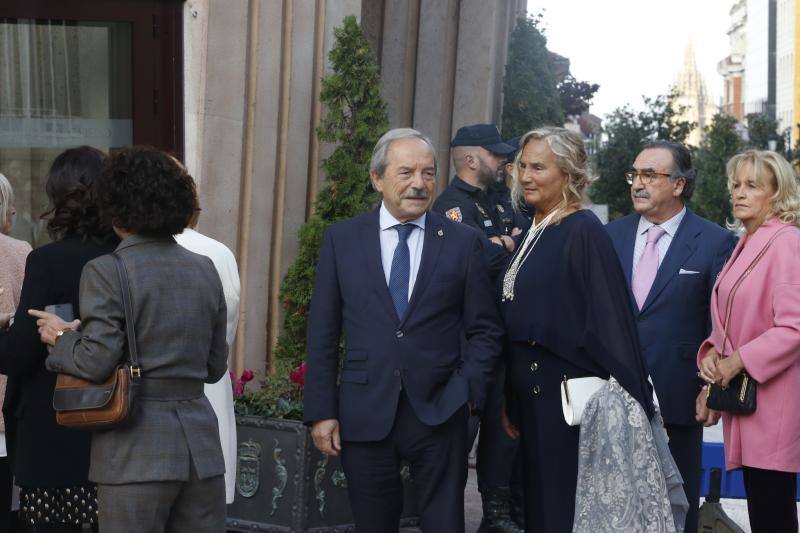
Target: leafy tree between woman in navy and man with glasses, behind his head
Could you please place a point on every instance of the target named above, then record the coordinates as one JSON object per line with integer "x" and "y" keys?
{"x": 627, "y": 133}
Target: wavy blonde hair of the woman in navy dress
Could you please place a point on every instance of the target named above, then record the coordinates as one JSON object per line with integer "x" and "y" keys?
{"x": 571, "y": 158}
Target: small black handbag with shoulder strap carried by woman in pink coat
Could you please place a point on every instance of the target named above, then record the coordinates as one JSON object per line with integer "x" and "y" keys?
{"x": 740, "y": 395}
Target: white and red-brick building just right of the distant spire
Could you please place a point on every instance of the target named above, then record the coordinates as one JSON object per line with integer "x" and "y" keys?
{"x": 731, "y": 68}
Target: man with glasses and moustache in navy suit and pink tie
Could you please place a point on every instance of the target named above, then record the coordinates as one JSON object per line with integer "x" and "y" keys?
{"x": 671, "y": 258}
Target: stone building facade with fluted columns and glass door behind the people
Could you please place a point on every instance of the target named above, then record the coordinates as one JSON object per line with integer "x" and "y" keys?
{"x": 232, "y": 88}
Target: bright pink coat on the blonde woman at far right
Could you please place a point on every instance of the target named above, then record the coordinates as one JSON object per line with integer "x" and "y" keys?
{"x": 765, "y": 328}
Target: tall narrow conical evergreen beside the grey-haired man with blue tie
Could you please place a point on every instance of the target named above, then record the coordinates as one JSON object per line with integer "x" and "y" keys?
{"x": 355, "y": 119}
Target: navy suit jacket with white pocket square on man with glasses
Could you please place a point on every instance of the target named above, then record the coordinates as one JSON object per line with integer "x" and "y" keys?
{"x": 675, "y": 318}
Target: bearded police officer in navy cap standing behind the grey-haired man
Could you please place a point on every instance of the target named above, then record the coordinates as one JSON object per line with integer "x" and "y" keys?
{"x": 478, "y": 153}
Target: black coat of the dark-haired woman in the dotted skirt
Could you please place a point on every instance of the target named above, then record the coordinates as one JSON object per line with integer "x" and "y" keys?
{"x": 42, "y": 453}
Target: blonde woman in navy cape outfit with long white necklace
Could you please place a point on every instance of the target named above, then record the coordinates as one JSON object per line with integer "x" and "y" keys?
{"x": 567, "y": 313}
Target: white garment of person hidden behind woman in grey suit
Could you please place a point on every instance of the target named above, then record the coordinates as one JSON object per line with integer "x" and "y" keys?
{"x": 220, "y": 394}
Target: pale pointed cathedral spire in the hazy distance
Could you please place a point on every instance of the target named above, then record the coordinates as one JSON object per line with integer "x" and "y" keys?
{"x": 693, "y": 101}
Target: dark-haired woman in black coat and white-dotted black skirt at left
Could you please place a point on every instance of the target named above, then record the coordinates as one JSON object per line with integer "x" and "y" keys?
{"x": 50, "y": 462}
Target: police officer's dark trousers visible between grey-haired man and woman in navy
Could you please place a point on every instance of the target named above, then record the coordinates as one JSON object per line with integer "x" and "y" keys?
{"x": 496, "y": 450}
